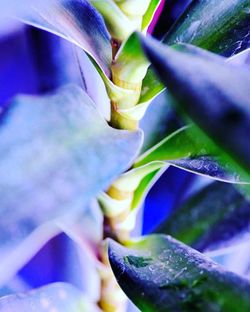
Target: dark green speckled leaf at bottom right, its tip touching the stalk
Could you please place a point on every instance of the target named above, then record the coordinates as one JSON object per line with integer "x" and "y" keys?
{"x": 159, "y": 273}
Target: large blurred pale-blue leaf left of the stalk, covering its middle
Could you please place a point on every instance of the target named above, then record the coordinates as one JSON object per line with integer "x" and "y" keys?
{"x": 51, "y": 147}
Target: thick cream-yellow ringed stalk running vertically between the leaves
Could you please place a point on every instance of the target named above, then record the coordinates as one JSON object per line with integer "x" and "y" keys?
{"x": 127, "y": 73}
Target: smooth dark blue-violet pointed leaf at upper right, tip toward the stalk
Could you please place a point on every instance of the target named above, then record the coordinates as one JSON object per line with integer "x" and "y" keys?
{"x": 216, "y": 95}
